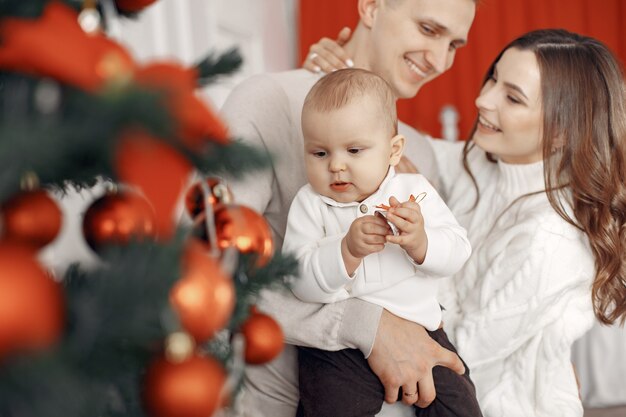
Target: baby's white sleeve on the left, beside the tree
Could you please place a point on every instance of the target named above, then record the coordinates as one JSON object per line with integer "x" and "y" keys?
{"x": 323, "y": 275}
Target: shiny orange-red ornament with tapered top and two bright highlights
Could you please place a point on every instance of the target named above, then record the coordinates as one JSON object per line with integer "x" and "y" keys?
{"x": 204, "y": 297}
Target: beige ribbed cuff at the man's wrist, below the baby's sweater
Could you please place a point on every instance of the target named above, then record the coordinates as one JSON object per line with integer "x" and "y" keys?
{"x": 359, "y": 325}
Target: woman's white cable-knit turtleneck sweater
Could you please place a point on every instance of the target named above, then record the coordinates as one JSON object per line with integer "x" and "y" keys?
{"x": 519, "y": 303}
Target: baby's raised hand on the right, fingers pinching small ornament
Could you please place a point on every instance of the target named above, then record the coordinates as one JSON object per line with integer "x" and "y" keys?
{"x": 407, "y": 217}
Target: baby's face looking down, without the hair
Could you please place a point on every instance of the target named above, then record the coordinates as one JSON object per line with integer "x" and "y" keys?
{"x": 347, "y": 151}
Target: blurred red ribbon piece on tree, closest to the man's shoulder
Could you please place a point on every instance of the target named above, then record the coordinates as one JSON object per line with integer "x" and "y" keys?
{"x": 197, "y": 122}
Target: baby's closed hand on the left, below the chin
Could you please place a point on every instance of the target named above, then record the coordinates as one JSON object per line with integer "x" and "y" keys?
{"x": 366, "y": 236}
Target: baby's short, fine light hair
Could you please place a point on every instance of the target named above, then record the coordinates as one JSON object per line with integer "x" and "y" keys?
{"x": 339, "y": 88}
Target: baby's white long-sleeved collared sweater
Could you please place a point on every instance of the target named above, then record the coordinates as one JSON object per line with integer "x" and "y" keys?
{"x": 390, "y": 278}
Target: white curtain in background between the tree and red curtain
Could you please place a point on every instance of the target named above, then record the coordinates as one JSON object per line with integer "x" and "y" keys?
{"x": 187, "y": 30}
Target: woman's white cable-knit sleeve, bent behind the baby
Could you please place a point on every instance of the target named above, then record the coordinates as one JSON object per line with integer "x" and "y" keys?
{"x": 537, "y": 280}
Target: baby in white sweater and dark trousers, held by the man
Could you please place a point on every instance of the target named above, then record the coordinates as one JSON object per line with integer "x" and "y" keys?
{"x": 361, "y": 230}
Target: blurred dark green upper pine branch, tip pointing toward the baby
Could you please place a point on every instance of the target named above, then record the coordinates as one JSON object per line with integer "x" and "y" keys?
{"x": 75, "y": 143}
